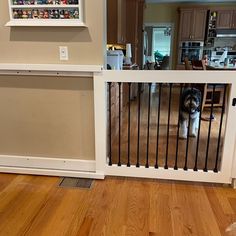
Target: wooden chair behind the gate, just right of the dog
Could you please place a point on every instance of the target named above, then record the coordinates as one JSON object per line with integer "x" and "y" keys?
{"x": 208, "y": 89}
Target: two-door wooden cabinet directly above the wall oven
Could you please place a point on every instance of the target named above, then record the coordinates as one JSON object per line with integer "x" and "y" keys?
{"x": 192, "y": 24}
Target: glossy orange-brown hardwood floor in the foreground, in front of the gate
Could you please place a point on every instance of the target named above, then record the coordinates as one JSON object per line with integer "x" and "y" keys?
{"x": 35, "y": 205}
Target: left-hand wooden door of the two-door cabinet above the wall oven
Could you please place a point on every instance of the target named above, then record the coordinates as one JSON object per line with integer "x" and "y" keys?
{"x": 186, "y": 16}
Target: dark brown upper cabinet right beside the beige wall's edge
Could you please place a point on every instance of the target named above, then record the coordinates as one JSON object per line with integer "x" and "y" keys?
{"x": 116, "y": 21}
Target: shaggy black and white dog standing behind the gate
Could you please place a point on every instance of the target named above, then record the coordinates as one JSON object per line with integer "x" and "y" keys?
{"x": 189, "y": 108}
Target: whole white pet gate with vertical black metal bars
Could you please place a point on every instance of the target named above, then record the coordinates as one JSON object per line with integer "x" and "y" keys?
{"x": 137, "y": 135}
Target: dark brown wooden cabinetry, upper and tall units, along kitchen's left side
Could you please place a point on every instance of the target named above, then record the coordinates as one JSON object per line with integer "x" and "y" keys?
{"x": 125, "y": 25}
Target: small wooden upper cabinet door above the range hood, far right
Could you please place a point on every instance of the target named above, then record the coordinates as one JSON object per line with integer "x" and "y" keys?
{"x": 224, "y": 19}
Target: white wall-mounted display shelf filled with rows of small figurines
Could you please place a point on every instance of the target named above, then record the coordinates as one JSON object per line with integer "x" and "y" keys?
{"x": 46, "y": 13}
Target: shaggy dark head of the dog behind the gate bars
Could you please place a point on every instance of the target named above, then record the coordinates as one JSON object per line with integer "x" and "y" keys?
{"x": 191, "y": 100}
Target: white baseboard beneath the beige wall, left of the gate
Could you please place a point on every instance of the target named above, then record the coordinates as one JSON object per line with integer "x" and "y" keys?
{"x": 49, "y": 166}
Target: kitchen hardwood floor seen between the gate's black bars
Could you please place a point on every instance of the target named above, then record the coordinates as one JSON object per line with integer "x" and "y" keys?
{"x": 182, "y": 143}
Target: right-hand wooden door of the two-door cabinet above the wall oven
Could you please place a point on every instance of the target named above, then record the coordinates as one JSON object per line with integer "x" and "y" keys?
{"x": 199, "y": 24}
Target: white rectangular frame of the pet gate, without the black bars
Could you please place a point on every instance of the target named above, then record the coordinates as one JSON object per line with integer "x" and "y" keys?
{"x": 100, "y": 107}
